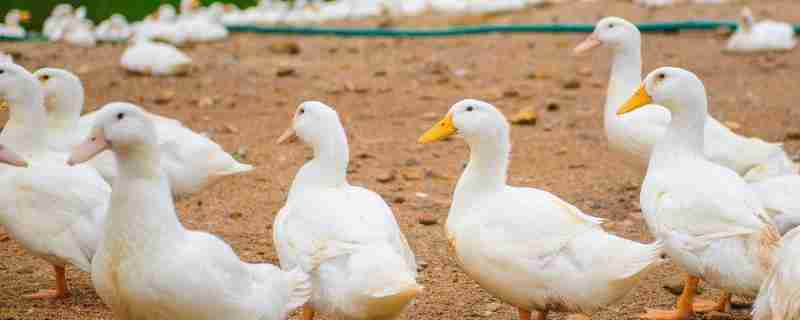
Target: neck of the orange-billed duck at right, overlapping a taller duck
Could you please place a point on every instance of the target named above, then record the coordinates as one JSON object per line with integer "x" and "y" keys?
{"x": 684, "y": 138}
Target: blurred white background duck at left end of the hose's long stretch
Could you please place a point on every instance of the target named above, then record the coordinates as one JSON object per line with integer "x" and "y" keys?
{"x": 199, "y": 27}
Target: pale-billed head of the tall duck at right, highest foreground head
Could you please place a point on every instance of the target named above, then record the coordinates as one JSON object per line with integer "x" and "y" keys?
{"x": 612, "y": 32}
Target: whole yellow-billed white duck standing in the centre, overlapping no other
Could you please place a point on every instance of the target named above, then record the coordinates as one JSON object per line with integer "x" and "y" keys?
{"x": 526, "y": 246}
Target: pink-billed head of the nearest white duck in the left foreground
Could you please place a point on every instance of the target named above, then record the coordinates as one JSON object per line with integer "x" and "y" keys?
{"x": 122, "y": 127}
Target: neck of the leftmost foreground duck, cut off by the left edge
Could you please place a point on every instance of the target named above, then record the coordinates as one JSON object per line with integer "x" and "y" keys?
{"x": 23, "y": 130}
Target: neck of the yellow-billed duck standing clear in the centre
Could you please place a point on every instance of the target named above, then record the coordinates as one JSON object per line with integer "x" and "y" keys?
{"x": 487, "y": 168}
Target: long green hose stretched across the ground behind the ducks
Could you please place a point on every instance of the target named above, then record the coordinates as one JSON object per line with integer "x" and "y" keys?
{"x": 456, "y": 31}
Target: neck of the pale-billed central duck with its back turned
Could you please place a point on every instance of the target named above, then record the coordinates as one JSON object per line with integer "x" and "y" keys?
{"x": 328, "y": 168}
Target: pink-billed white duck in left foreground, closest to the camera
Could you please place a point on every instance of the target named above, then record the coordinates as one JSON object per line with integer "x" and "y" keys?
{"x": 149, "y": 266}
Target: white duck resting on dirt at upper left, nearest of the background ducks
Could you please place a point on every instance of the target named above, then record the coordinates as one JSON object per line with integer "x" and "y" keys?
{"x": 153, "y": 58}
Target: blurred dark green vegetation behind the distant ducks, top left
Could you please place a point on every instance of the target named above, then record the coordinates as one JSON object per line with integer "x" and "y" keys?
{"x": 97, "y": 10}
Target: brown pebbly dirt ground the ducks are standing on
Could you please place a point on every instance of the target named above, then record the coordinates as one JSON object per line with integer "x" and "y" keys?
{"x": 388, "y": 91}
